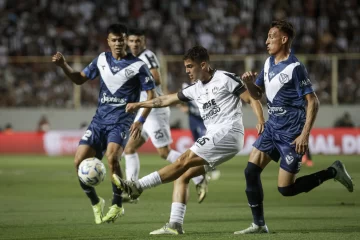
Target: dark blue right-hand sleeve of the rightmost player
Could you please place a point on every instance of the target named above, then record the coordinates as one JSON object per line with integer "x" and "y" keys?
{"x": 301, "y": 80}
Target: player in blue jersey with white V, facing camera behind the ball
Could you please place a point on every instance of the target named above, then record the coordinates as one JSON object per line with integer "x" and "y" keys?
{"x": 122, "y": 76}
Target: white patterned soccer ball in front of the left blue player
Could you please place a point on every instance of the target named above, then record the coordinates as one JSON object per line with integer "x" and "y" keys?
{"x": 91, "y": 172}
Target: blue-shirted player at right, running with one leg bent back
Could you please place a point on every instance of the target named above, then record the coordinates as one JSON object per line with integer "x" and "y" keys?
{"x": 288, "y": 90}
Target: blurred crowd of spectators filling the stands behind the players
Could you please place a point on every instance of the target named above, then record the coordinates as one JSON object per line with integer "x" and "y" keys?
{"x": 77, "y": 27}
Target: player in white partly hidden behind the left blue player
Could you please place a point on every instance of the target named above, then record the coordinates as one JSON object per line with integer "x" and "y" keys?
{"x": 157, "y": 124}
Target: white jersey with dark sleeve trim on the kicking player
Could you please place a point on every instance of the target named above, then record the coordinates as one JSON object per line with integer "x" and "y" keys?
{"x": 218, "y": 100}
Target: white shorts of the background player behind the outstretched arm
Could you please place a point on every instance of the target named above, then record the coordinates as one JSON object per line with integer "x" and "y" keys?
{"x": 157, "y": 127}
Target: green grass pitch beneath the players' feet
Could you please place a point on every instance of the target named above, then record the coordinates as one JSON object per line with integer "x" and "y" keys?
{"x": 40, "y": 198}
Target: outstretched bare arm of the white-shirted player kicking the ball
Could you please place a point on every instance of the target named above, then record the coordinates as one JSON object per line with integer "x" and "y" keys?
{"x": 159, "y": 102}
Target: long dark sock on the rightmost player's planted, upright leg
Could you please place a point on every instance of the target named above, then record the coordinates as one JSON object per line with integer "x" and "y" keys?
{"x": 254, "y": 193}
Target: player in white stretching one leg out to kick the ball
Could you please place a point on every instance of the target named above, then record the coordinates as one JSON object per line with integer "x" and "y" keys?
{"x": 217, "y": 95}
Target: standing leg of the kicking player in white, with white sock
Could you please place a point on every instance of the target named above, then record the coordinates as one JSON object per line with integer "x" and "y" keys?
{"x": 179, "y": 201}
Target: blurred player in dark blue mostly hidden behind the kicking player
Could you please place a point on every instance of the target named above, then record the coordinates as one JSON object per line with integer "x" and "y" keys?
{"x": 197, "y": 127}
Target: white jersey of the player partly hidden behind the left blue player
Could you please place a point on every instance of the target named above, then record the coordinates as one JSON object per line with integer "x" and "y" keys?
{"x": 151, "y": 61}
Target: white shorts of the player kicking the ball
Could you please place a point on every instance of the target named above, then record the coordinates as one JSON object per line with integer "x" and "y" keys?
{"x": 218, "y": 146}
